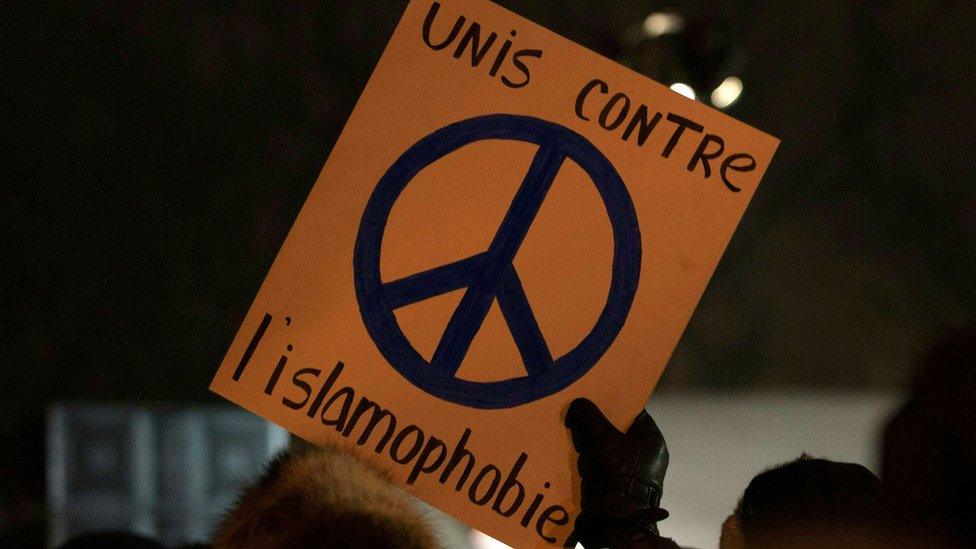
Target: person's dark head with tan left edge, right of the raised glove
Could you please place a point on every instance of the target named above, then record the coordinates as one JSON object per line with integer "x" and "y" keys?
{"x": 805, "y": 503}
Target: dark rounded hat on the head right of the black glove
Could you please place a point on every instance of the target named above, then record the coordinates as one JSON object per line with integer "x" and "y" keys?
{"x": 808, "y": 493}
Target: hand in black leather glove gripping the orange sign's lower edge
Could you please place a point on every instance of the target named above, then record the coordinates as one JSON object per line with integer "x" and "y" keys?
{"x": 622, "y": 478}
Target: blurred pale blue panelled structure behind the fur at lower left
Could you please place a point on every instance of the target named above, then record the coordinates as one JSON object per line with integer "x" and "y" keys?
{"x": 165, "y": 471}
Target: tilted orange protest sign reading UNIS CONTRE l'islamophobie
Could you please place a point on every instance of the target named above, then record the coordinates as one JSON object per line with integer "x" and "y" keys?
{"x": 508, "y": 221}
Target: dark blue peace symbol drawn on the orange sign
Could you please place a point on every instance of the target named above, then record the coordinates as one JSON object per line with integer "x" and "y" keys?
{"x": 491, "y": 275}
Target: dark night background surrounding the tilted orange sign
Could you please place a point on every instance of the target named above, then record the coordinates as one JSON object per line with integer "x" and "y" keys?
{"x": 156, "y": 155}
